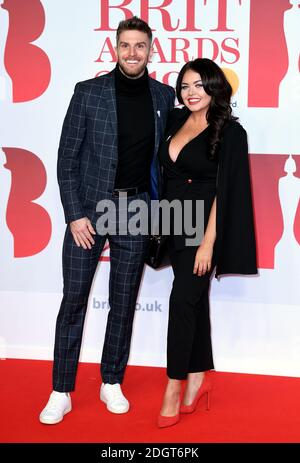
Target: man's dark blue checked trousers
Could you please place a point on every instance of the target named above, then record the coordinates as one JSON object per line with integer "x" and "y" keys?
{"x": 79, "y": 266}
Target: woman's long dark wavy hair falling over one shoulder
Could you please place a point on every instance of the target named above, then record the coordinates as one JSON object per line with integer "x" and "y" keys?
{"x": 217, "y": 86}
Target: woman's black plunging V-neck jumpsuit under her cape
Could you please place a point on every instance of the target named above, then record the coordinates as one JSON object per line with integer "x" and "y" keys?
{"x": 192, "y": 176}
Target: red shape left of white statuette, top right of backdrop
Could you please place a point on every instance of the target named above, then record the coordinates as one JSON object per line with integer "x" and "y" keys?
{"x": 268, "y": 58}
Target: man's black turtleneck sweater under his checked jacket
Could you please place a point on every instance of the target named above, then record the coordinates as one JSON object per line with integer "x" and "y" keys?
{"x": 135, "y": 131}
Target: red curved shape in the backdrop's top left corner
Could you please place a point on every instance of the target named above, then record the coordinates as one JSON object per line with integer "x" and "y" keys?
{"x": 27, "y": 65}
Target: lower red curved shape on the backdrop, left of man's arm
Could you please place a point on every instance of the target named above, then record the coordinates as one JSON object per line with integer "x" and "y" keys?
{"x": 28, "y": 222}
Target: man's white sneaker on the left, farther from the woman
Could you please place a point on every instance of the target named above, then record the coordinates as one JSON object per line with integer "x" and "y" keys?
{"x": 58, "y": 405}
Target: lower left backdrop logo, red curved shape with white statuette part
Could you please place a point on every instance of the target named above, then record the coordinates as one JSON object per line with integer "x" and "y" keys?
{"x": 26, "y": 224}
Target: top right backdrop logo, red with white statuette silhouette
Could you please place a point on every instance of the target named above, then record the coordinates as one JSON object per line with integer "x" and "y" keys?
{"x": 273, "y": 52}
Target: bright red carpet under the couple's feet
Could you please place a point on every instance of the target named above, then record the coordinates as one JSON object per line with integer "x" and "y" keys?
{"x": 244, "y": 408}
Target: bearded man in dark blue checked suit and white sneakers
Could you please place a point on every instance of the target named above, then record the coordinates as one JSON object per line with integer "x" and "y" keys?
{"x": 109, "y": 143}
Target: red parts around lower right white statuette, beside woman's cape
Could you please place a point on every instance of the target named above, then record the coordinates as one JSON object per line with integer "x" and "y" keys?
{"x": 266, "y": 171}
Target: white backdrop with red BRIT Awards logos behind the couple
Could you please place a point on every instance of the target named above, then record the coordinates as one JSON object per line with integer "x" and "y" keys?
{"x": 45, "y": 48}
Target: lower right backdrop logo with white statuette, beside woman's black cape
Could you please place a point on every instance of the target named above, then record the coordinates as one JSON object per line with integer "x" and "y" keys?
{"x": 276, "y": 190}
